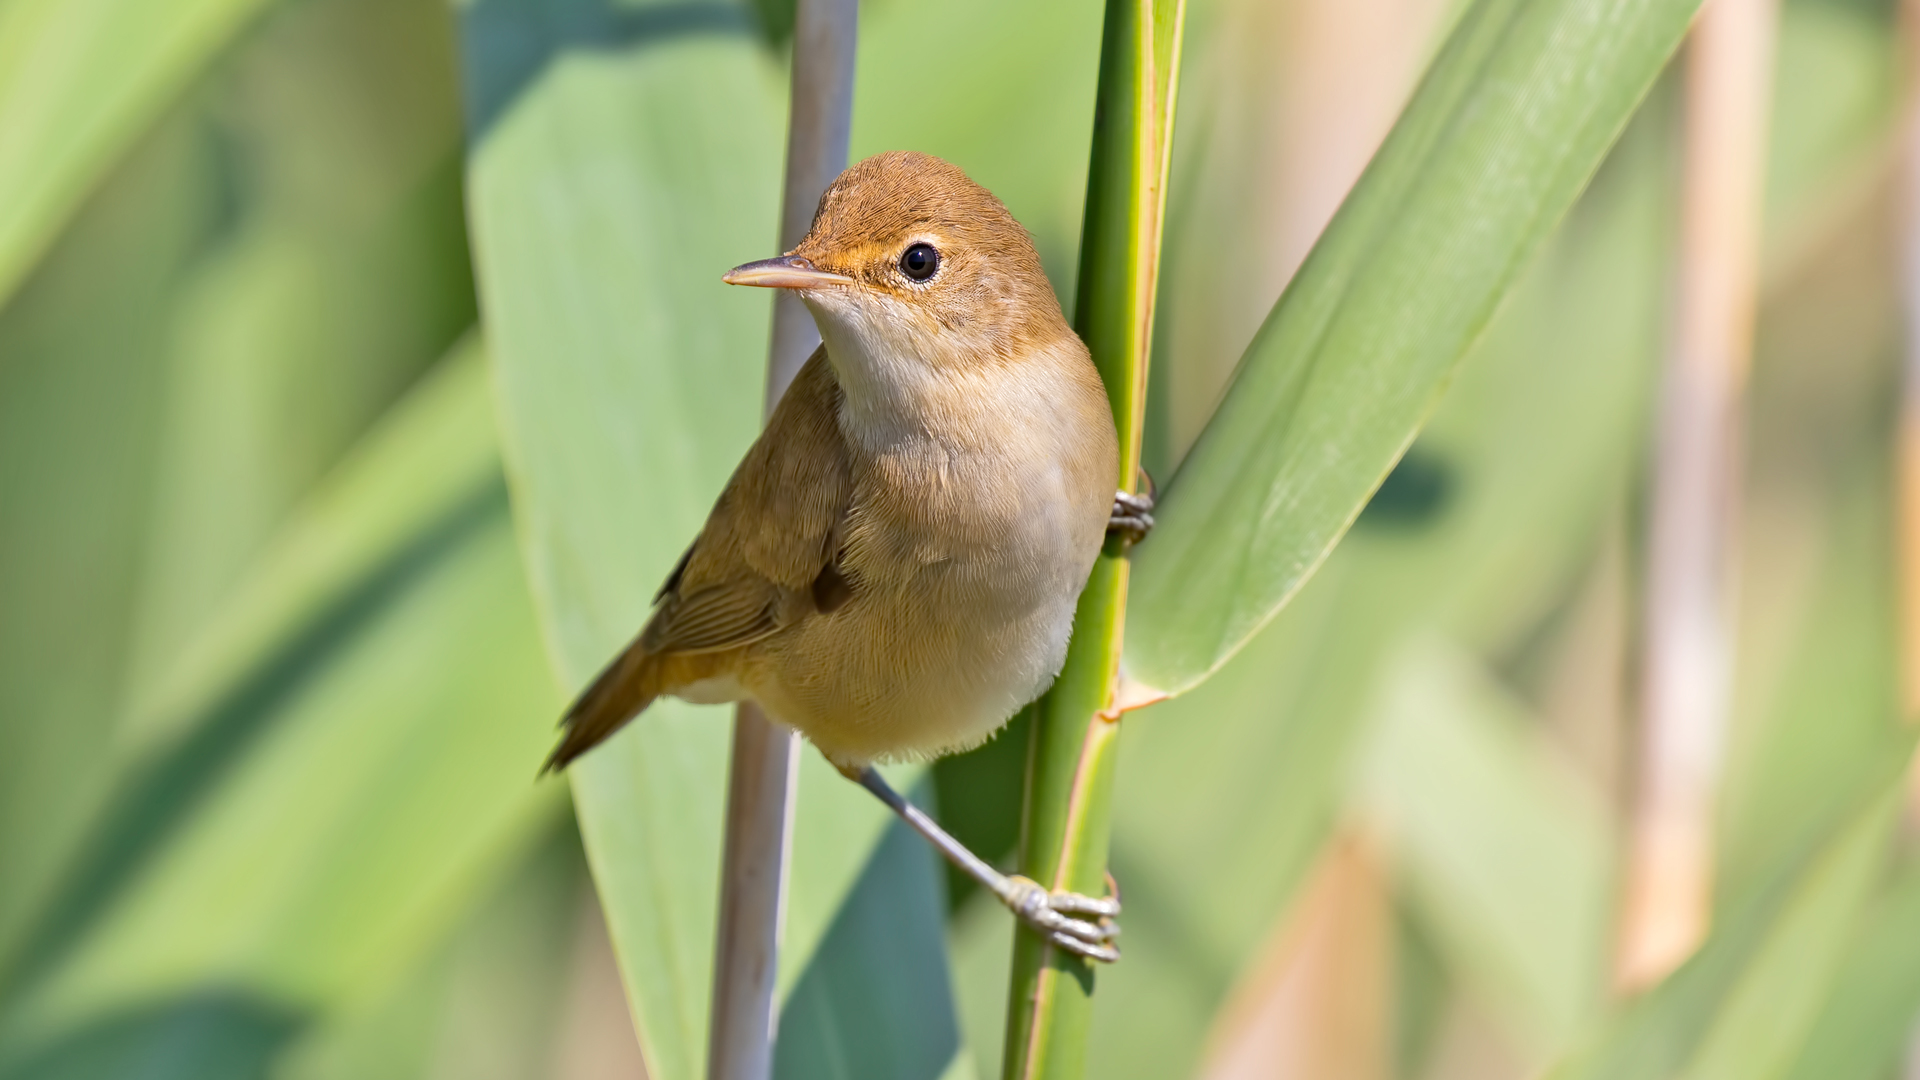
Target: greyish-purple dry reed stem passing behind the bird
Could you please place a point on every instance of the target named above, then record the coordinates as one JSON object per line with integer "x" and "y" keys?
{"x": 765, "y": 766}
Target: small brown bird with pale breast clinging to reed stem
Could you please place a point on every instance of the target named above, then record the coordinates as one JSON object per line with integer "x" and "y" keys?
{"x": 896, "y": 564}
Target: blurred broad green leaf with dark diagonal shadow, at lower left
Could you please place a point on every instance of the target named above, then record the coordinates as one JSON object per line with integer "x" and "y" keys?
{"x": 333, "y": 810}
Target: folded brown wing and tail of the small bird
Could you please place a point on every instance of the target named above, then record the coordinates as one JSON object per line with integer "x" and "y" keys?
{"x": 767, "y": 558}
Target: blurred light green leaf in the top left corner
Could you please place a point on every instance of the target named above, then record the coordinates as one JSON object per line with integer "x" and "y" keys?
{"x": 80, "y": 84}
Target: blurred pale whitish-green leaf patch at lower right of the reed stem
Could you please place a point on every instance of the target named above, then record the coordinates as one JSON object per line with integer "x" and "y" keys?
{"x": 1502, "y": 845}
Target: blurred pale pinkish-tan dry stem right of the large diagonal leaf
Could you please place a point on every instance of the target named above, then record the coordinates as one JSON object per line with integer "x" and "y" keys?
{"x": 1692, "y": 545}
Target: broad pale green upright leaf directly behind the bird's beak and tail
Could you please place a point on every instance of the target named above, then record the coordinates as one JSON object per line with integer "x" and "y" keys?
{"x": 619, "y": 164}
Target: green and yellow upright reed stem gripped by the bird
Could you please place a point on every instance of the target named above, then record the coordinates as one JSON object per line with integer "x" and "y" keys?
{"x": 1076, "y": 731}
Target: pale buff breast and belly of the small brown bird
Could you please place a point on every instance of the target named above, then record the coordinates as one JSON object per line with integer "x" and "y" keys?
{"x": 980, "y": 501}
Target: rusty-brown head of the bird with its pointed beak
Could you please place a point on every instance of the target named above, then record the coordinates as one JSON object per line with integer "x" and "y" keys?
{"x": 911, "y": 260}
